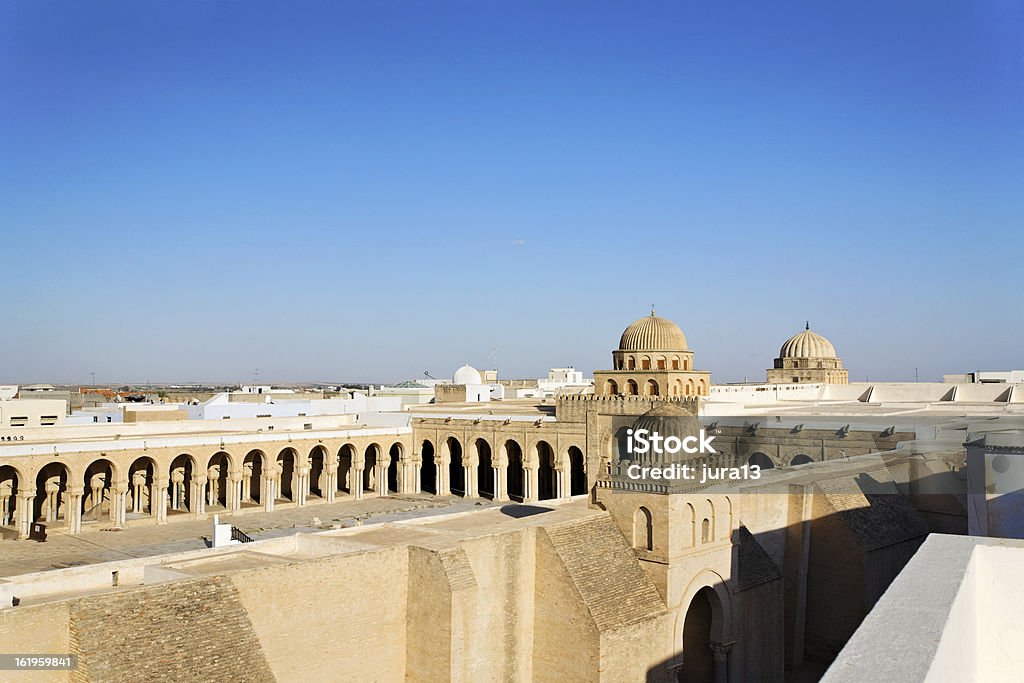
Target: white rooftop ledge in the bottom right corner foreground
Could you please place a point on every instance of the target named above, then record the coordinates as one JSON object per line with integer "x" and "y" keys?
{"x": 955, "y": 614}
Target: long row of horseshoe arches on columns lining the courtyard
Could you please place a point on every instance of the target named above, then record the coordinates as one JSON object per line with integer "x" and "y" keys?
{"x": 112, "y": 489}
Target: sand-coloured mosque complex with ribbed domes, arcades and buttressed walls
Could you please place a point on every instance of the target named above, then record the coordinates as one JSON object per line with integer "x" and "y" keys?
{"x": 599, "y": 577}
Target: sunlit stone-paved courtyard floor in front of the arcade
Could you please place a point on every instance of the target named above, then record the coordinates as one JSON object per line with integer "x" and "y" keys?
{"x": 95, "y": 546}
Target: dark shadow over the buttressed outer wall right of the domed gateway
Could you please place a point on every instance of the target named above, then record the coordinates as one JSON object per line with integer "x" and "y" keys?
{"x": 797, "y": 593}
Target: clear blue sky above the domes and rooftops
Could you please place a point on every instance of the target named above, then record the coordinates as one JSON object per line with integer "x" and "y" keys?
{"x": 364, "y": 191}
